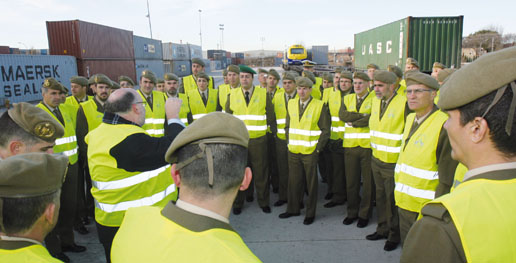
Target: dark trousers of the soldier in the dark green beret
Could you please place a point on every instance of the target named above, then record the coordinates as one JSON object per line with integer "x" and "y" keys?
{"x": 257, "y": 160}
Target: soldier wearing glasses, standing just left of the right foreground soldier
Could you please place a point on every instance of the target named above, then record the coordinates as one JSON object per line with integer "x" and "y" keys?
{"x": 424, "y": 169}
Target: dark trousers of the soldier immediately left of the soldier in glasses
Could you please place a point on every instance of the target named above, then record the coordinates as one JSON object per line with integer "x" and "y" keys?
{"x": 388, "y": 220}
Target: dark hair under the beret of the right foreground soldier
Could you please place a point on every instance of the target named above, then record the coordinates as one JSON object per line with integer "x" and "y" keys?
{"x": 496, "y": 119}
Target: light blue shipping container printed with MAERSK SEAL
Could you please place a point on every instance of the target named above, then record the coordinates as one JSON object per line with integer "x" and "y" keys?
{"x": 23, "y": 75}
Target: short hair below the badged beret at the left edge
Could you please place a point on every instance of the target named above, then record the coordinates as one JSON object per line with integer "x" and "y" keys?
{"x": 9, "y": 131}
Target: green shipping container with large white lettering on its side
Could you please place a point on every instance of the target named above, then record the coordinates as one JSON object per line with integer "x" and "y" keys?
{"x": 426, "y": 39}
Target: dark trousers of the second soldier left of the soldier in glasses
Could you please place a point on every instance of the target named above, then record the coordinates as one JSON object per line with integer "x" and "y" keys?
{"x": 358, "y": 167}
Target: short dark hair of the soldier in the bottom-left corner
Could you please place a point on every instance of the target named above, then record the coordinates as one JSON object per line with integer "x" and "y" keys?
{"x": 20, "y": 214}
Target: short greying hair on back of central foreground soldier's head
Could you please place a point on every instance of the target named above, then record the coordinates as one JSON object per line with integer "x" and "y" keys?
{"x": 229, "y": 162}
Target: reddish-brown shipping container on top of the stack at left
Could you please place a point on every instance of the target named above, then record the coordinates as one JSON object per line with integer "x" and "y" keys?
{"x": 88, "y": 40}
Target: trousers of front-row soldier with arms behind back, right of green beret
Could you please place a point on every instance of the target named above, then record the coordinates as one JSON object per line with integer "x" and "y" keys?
{"x": 299, "y": 165}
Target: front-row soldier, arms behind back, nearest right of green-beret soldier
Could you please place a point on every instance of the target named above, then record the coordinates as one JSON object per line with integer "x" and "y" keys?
{"x": 307, "y": 130}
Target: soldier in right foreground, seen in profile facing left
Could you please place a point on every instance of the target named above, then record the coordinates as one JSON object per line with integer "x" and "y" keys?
{"x": 475, "y": 223}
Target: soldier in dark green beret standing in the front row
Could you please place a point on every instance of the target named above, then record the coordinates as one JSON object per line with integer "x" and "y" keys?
{"x": 253, "y": 106}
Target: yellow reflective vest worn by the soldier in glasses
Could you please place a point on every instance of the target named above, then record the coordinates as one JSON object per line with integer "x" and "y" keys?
{"x": 416, "y": 173}
